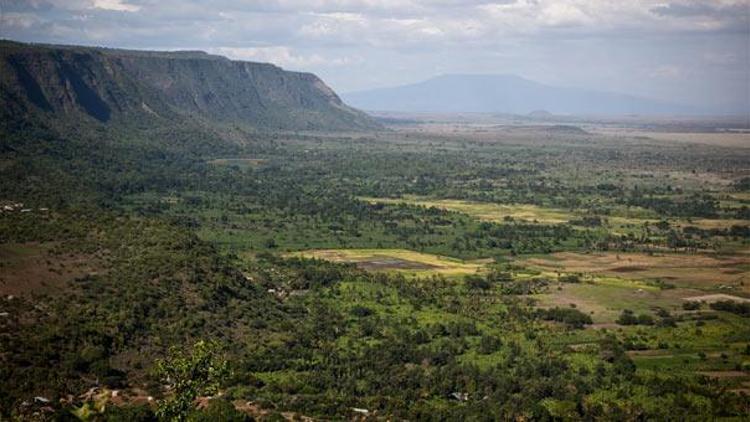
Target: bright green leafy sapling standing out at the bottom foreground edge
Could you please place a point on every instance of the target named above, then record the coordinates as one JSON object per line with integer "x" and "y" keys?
{"x": 189, "y": 375}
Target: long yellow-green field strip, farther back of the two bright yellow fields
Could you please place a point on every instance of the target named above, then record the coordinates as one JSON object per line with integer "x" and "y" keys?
{"x": 485, "y": 211}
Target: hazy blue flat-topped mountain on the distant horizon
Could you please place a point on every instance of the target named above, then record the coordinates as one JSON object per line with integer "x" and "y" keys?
{"x": 503, "y": 94}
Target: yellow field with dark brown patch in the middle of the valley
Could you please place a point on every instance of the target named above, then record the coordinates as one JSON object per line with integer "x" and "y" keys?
{"x": 398, "y": 260}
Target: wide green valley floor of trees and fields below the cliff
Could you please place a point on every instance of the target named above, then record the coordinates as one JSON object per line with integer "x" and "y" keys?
{"x": 405, "y": 274}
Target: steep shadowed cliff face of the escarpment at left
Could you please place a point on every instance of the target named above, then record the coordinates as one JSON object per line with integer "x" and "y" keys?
{"x": 111, "y": 85}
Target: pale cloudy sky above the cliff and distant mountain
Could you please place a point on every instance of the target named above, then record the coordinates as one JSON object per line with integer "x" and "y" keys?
{"x": 684, "y": 51}
